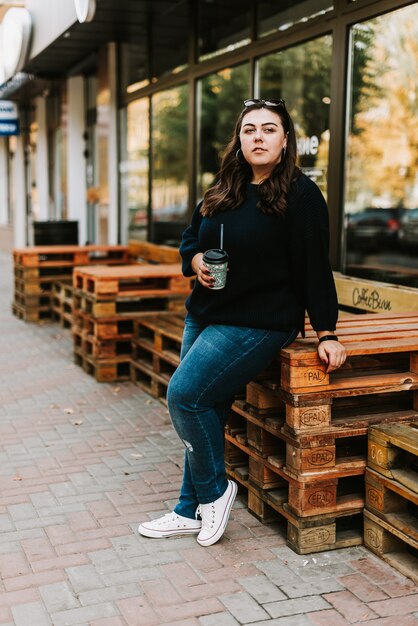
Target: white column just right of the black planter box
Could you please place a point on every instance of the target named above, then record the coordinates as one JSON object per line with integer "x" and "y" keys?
{"x": 76, "y": 167}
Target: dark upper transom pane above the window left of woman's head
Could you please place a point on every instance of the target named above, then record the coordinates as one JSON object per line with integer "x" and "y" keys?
{"x": 223, "y": 26}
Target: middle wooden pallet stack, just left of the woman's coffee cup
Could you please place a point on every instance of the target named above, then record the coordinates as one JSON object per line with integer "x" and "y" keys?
{"x": 107, "y": 304}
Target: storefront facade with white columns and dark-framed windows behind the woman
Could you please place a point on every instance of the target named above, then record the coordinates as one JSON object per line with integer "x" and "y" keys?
{"x": 125, "y": 107}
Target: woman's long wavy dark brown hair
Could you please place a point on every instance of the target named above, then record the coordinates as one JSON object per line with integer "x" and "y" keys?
{"x": 229, "y": 192}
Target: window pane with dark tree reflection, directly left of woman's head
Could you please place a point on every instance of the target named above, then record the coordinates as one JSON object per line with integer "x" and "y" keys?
{"x": 220, "y": 98}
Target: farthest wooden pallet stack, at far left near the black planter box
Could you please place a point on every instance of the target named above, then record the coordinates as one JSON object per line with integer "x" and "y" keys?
{"x": 37, "y": 268}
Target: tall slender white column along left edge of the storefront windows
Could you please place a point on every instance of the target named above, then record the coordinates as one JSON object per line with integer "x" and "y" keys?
{"x": 113, "y": 160}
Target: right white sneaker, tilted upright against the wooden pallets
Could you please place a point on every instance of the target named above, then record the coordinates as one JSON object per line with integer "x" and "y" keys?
{"x": 215, "y": 516}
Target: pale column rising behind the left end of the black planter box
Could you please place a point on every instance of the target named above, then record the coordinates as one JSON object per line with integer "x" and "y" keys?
{"x": 42, "y": 167}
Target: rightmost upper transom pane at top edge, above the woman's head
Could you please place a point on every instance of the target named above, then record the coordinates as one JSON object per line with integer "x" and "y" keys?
{"x": 278, "y": 16}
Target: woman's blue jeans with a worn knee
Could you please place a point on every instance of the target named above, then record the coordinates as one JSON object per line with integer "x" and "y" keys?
{"x": 216, "y": 363}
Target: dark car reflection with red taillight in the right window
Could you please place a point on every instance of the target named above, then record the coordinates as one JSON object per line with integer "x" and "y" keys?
{"x": 373, "y": 228}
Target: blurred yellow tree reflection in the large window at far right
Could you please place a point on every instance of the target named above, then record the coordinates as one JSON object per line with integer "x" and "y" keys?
{"x": 383, "y": 140}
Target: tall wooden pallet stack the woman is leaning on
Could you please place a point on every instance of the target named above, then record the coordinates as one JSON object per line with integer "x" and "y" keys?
{"x": 299, "y": 442}
